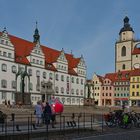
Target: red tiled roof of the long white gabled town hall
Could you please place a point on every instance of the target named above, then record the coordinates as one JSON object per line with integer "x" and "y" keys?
{"x": 23, "y": 49}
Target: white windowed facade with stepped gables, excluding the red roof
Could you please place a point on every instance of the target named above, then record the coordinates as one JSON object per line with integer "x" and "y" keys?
{"x": 69, "y": 88}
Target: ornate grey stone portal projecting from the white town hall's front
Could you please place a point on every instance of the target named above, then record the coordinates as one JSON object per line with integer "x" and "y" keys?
{"x": 47, "y": 90}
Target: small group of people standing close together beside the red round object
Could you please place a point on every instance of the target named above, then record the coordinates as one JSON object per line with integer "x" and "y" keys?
{"x": 45, "y": 113}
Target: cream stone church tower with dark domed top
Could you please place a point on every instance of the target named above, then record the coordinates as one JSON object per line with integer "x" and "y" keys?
{"x": 124, "y": 47}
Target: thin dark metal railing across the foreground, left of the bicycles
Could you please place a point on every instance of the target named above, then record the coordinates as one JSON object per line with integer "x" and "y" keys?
{"x": 23, "y": 126}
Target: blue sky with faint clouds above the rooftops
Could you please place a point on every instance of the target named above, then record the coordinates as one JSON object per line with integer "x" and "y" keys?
{"x": 87, "y": 27}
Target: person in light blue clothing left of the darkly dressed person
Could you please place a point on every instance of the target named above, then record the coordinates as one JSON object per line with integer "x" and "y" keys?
{"x": 38, "y": 113}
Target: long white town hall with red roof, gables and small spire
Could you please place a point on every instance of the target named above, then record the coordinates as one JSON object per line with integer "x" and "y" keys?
{"x": 37, "y": 72}
